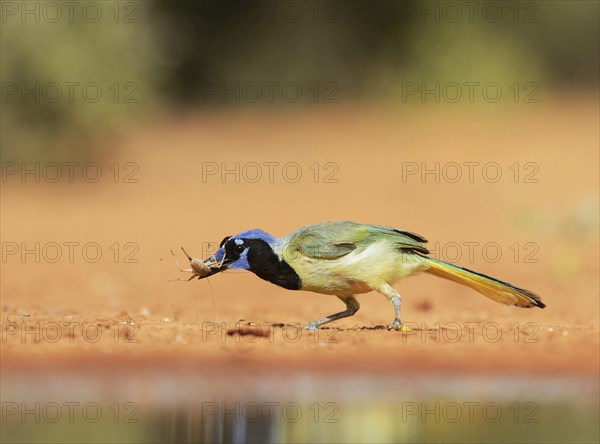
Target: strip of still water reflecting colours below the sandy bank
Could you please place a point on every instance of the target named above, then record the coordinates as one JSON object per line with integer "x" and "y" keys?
{"x": 302, "y": 408}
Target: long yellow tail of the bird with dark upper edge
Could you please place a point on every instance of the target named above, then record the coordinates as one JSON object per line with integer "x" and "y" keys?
{"x": 493, "y": 288}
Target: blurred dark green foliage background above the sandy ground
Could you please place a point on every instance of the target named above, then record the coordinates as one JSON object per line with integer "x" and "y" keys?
{"x": 155, "y": 58}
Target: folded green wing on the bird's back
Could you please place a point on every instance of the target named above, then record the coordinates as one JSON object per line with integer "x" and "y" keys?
{"x": 332, "y": 240}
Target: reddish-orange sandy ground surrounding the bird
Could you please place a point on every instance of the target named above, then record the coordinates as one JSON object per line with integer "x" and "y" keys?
{"x": 547, "y": 232}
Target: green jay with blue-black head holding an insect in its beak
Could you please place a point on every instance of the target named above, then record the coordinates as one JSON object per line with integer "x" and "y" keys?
{"x": 343, "y": 259}
